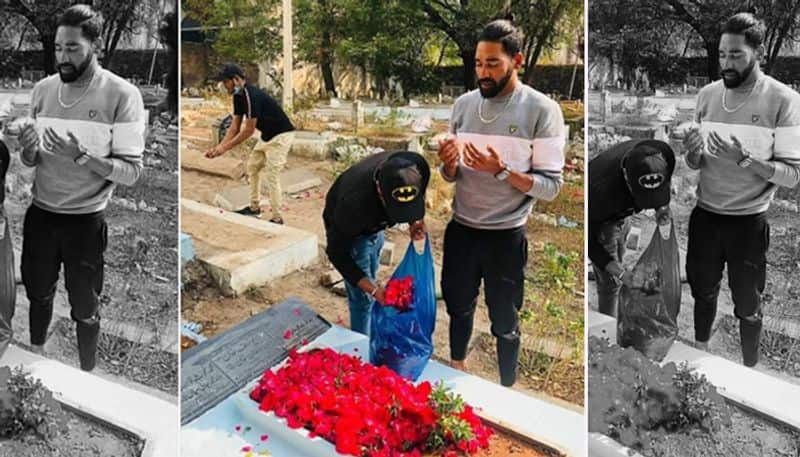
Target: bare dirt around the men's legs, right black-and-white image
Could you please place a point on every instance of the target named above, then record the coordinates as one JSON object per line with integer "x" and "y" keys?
{"x": 780, "y": 348}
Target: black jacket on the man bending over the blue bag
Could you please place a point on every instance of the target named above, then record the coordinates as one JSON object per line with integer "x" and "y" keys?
{"x": 353, "y": 208}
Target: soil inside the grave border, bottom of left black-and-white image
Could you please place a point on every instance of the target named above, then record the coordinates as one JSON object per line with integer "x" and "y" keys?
{"x": 82, "y": 438}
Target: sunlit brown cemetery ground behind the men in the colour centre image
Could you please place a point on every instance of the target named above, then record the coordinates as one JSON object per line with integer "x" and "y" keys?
{"x": 552, "y": 316}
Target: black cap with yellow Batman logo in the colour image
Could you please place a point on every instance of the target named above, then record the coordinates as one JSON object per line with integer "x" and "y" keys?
{"x": 403, "y": 179}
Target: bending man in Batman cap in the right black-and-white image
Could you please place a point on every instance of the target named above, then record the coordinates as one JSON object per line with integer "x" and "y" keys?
{"x": 627, "y": 178}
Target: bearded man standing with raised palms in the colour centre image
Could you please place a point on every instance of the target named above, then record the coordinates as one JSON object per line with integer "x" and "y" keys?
{"x": 506, "y": 151}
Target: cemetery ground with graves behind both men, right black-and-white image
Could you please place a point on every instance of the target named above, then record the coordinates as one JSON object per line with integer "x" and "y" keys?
{"x": 781, "y": 340}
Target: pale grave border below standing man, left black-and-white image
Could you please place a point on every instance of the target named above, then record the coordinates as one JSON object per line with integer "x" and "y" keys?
{"x": 150, "y": 418}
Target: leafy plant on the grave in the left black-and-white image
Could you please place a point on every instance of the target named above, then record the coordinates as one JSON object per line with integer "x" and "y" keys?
{"x": 26, "y": 405}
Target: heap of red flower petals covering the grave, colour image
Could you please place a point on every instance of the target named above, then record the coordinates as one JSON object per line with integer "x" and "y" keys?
{"x": 365, "y": 411}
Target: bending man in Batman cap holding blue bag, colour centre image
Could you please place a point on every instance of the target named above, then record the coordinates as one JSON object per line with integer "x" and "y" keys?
{"x": 381, "y": 190}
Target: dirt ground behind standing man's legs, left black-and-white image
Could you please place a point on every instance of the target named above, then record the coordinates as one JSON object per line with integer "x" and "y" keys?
{"x": 139, "y": 298}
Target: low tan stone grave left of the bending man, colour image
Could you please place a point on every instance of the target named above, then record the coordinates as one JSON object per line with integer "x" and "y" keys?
{"x": 241, "y": 251}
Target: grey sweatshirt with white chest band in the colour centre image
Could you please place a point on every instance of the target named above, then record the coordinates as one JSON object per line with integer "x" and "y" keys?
{"x": 529, "y": 135}
